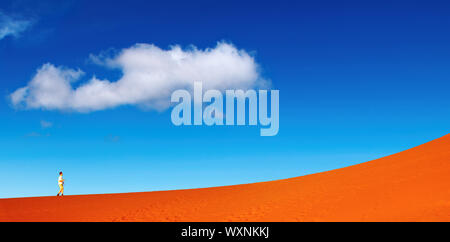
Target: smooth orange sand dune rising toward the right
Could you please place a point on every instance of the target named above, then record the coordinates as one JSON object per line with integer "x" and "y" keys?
{"x": 413, "y": 185}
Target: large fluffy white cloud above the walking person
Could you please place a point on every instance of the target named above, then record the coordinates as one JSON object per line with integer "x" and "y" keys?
{"x": 150, "y": 75}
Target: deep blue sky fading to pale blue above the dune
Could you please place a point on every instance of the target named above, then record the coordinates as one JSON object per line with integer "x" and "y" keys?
{"x": 357, "y": 80}
